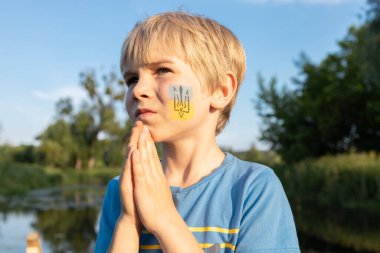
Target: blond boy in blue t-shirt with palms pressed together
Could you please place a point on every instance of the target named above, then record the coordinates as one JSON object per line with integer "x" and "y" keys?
{"x": 183, "y": 73}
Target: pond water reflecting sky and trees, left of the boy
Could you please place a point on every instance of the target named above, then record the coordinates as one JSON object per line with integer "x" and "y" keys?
{"x": 65, "y": 217}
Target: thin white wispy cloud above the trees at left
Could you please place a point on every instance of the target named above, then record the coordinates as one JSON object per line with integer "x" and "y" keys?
{"x": 73, "y": 91}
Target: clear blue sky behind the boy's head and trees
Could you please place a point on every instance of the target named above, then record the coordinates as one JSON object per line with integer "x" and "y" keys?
{"x": 44, "y": 45}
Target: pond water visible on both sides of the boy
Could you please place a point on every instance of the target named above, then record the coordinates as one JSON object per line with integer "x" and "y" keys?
{"x": 67, "y": 219}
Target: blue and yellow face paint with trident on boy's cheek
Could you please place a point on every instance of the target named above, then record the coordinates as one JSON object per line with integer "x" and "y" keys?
{"x": 181, "y": 105}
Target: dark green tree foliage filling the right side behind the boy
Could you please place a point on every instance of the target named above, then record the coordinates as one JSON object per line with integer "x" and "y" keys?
{"x": 335, "y": 105}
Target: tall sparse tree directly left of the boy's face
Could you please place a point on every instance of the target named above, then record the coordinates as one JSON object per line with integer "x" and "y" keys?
{"x": 98, "y": 115}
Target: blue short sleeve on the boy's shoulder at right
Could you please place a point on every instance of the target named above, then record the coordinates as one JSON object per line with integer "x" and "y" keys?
{"x": 267, "y": 223}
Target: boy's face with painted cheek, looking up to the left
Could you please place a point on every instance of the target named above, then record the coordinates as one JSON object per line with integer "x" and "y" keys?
{"x": 166, "y": 95}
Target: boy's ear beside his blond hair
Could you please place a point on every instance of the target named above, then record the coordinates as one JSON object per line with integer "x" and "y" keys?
{"x": 223, "y": 95}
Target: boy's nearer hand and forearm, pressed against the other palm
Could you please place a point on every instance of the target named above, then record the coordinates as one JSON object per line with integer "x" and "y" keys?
{"x": 154, "y": 201}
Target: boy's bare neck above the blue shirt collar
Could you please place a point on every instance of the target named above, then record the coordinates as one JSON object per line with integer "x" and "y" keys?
{"x": 187, "y": 161}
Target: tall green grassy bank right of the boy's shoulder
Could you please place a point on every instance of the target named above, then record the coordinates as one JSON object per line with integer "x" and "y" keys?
{"x": 347, "y": 180}
